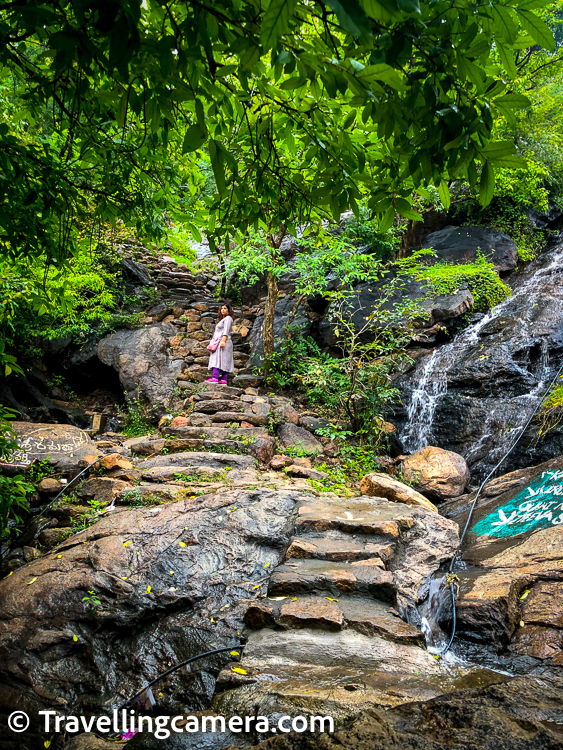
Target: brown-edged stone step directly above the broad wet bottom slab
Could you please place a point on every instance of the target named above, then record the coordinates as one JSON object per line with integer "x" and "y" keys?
{"x": 368, "y": 616}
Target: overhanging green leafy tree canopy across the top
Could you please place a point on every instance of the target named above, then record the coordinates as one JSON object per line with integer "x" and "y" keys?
{"x": 300, "y": 109}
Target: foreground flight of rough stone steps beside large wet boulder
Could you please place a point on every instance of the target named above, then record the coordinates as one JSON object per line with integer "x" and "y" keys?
{"x": 326, "y": 636}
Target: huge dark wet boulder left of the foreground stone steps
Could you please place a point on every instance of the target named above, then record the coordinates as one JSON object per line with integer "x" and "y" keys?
{"x": 172, "y": 581}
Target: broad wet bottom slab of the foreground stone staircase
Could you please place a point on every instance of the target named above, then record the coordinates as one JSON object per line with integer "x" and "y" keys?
{"x": 335, "y": 673}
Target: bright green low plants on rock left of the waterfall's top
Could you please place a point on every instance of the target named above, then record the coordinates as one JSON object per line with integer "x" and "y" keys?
{"x": 480, "y": 277}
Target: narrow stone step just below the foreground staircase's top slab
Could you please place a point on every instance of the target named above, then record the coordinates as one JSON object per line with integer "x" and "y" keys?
{"x": 339, "y": 549}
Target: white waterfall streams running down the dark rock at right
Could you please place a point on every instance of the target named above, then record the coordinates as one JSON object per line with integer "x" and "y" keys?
{"x": 429, "y": 385}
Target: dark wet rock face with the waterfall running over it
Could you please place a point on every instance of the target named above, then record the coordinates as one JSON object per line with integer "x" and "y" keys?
{"x": 475, "y": 394}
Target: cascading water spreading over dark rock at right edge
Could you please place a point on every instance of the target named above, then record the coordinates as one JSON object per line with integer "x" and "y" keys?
{"x": 531, "y": 316}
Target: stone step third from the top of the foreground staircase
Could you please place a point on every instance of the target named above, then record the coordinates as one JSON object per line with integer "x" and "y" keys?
{"x": 332, "y": 578}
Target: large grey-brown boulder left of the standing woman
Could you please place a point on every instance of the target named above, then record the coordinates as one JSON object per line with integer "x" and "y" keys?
{"x": 146, "y": 364}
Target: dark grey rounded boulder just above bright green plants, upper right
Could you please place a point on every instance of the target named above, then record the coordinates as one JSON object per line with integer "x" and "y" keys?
{"x": 462, "y": 244}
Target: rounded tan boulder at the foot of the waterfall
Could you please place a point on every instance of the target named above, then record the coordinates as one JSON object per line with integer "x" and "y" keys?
{"x": 438, "y": 473}
